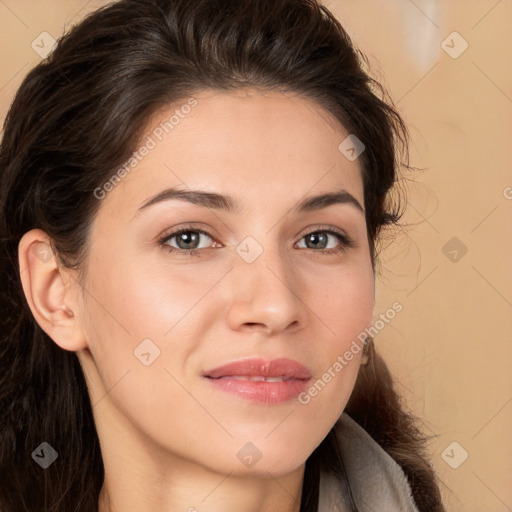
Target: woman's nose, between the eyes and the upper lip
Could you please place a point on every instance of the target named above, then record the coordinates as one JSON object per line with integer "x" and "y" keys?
{"x": 266, "y": 295}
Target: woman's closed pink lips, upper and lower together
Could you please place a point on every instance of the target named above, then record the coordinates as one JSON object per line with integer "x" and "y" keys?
{"x": 257, "y": 380}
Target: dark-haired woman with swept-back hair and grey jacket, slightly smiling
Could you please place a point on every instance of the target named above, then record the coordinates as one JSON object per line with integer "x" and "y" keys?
{"x": 192, "y": 195}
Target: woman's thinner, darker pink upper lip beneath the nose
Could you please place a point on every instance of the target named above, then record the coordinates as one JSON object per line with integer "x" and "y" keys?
{"x": 283, "y": 367}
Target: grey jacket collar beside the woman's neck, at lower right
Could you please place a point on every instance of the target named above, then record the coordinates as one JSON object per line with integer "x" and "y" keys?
{"x": 377, "y": 481}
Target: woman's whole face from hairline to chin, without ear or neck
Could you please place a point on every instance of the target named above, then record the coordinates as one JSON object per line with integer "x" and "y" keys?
{"x": 268, "y": 279}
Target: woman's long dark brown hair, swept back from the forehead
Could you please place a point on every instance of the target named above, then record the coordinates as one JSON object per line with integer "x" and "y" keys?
{"x": 77, "y": 117}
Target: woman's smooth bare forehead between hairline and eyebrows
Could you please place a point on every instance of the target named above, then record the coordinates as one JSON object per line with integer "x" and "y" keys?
{"x": 249, "y": 144}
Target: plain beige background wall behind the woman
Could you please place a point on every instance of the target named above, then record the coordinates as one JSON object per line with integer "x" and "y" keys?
{"x": 450, "y": 347}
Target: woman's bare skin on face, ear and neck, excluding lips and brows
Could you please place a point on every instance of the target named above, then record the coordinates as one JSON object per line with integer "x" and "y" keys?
{"x": 169, "y": 440}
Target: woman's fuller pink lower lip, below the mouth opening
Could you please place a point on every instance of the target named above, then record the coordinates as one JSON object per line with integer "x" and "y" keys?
{"x": 260, "y": 391}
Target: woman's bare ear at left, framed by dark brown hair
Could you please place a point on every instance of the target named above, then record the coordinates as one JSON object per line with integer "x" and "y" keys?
{"x": 51, "y": 291}
